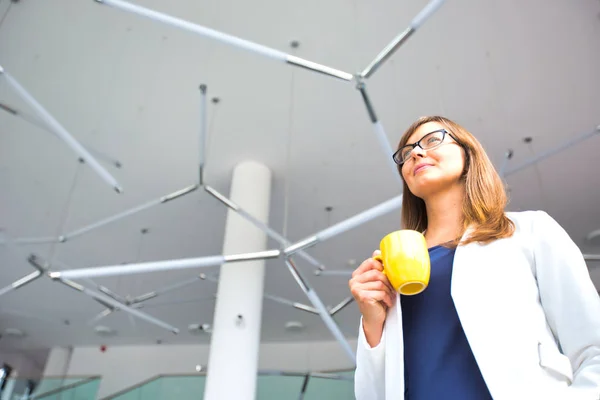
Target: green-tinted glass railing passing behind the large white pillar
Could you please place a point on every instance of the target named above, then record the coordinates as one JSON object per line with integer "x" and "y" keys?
{"x": 271, "y": 385}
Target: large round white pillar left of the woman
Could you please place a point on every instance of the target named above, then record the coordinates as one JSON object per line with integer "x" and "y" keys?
{"x": 234, "y": 347}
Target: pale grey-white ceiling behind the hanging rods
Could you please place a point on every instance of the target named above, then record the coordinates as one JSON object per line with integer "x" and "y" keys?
{"x": 128, "y": 87}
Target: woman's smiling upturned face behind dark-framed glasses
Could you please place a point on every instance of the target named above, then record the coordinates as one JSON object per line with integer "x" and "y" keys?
{"x": 428, "y": 172}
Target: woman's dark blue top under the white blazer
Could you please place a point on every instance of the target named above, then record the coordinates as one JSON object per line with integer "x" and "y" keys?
{"x": 439, "y": 363}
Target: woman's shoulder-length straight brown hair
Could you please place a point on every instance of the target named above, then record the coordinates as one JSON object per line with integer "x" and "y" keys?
{"x": 485, "y": 197}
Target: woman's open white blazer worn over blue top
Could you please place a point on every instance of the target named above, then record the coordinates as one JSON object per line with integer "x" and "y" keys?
{"x": 529, "y": 310}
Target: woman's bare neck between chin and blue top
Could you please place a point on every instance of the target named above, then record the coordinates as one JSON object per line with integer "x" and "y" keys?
{"x": 444, "y": 216}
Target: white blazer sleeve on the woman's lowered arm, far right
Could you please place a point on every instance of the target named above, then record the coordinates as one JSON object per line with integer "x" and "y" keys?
{"x": 569, "y": 299}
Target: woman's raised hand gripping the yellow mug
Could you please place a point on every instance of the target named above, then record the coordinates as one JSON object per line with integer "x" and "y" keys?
{"x": 374, "y": 295}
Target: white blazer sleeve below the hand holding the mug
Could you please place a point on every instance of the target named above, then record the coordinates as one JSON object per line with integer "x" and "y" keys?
{"x": 369, "y": 377}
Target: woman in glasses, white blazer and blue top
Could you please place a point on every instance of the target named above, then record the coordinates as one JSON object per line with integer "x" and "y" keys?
{"x": 510, "y": 311}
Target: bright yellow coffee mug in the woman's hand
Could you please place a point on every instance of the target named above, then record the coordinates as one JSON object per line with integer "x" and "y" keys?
{"x": 405, "y": 260}
